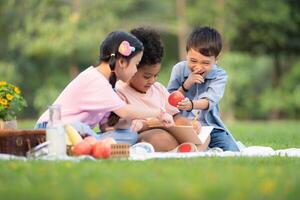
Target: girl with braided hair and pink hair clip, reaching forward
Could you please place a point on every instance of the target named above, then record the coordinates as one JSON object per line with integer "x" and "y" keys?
{"x": 90, "y": 97}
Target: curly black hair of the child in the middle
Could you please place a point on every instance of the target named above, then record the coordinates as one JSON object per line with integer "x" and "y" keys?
{"x": 153, "y": 46}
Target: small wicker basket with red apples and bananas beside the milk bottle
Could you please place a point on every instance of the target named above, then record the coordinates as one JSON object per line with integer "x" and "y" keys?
{"x": 106, "y": 148}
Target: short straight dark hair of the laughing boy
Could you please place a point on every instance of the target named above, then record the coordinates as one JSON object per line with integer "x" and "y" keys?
{"x": 205, "y": 40}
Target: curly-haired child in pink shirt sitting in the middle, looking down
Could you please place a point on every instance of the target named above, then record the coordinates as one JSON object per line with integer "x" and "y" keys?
{"x": 143, "y": 91}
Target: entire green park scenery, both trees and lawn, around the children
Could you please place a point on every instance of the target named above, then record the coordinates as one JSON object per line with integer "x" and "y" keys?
{"x": 44, "y": 44}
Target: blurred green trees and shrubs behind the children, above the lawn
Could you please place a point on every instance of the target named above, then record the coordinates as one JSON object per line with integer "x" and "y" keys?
{"x": 45, "y": 44}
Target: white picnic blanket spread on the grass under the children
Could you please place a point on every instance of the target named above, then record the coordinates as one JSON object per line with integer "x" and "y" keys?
{"x": 148, "y": 153}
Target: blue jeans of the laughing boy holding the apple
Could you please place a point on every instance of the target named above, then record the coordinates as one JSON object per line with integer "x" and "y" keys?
{"x": 222, "y": 139}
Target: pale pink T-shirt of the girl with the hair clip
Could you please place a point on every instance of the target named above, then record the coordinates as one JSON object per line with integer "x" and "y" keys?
{"x": 89, "y": 98}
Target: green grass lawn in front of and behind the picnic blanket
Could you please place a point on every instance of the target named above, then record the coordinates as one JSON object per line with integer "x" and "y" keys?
{"x": 198, "y": 178}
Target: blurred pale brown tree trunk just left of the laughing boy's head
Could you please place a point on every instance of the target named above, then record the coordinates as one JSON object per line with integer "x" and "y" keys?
{"x": 182, "y": 27}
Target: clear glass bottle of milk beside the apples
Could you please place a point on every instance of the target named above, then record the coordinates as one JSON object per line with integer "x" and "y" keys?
{"x": 55, "y": 132}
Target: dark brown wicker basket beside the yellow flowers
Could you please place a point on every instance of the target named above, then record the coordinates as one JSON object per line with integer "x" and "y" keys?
{"x": 18, "y": 142}
